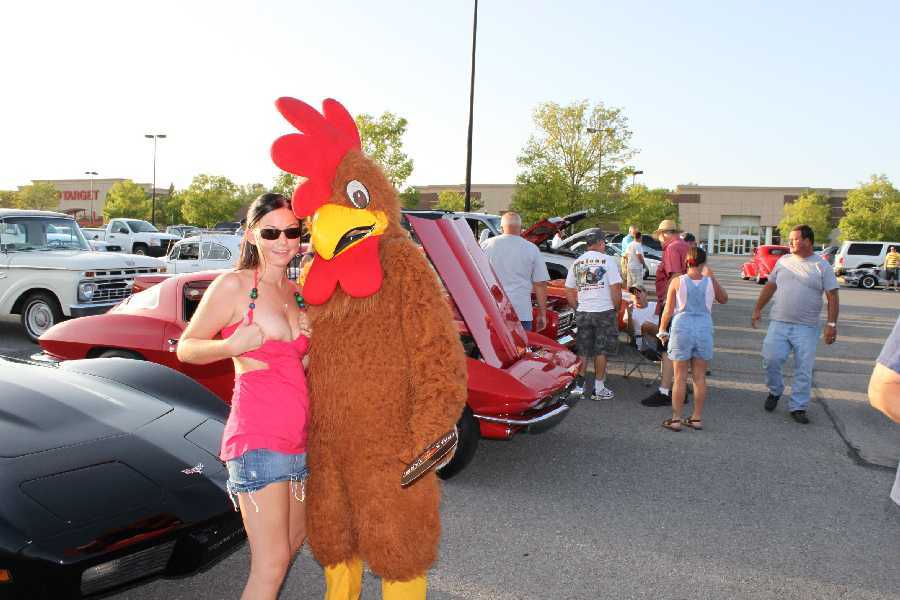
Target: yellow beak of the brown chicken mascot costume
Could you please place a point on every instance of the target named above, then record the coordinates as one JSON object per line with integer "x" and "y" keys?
{"x": 336, "y": 228}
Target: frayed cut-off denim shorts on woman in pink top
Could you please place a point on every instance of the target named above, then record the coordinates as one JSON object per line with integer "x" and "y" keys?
{"x": 255, "y": 469}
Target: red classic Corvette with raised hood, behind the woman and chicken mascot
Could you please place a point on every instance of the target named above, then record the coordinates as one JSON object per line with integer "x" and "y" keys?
{"x": 518, "y": 381}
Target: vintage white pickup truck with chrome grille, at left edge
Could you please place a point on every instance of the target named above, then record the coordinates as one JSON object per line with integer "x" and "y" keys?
{"x": 48, "y": 272}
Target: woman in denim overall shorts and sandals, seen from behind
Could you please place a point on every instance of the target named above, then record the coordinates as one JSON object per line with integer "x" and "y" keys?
{"x": 690, "y": 298}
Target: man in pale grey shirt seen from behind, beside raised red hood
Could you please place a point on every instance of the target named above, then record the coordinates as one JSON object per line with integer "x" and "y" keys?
{"x": 521, "y": 270}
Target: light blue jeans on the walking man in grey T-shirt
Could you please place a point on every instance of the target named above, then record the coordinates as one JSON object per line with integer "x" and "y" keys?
{"x": 781, "y": 338}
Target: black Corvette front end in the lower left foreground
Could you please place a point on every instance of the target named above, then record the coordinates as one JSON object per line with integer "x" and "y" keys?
{"x": 108, "y": 475}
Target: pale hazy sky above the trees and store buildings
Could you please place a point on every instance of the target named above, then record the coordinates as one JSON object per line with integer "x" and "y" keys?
{"x": 769, "y": 93}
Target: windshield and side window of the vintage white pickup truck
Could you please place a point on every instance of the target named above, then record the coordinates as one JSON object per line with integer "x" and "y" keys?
{"x": 20, "y": 234}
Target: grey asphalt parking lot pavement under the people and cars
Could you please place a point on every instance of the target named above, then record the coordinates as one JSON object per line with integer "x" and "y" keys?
{"x": 610, "y": 505}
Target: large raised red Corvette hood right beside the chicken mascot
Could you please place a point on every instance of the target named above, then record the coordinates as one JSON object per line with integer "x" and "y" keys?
{"x": 469, "y": 279}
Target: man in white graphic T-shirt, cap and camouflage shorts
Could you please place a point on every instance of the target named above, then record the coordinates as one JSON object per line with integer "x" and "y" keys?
{"x": 594, "y": 289}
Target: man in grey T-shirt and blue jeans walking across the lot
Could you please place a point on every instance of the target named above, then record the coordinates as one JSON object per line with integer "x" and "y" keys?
{"x": 797, "y": 282}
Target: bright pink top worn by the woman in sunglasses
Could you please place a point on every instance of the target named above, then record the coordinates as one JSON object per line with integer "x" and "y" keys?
{"x": 269, "y": 407}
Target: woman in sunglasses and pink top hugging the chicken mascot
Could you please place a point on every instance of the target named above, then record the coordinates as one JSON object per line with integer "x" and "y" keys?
{"x": 264, "y": 329}
